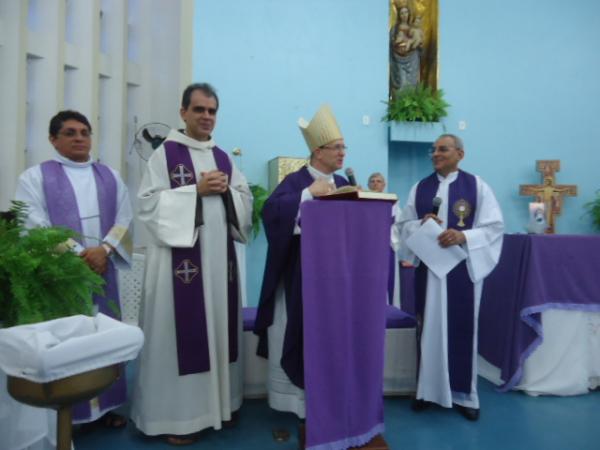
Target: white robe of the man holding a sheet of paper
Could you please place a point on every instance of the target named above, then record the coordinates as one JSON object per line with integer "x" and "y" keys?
{"x": 483, "y": 247}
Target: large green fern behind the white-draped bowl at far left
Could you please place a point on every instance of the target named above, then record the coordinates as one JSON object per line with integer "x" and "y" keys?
{"x": 39, "y": 280}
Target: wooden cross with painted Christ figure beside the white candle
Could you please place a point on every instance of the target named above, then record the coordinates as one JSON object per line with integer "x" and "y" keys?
{"x": 548, "y": 192}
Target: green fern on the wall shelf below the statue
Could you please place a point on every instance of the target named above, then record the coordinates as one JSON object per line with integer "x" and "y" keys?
{"x": 416, "y": 104}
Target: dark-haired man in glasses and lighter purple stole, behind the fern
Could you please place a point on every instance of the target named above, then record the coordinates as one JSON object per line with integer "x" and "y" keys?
{"x": 74, "y": 191}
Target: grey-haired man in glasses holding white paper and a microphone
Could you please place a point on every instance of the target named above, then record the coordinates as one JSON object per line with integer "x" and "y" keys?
{"x": 447, "y": 308}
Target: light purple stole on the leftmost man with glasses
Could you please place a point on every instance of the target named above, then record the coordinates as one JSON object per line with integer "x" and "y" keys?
{"x": 63, "y": 211}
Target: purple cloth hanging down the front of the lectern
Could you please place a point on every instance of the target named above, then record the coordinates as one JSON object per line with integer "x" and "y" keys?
{"x": 345, "y": 263}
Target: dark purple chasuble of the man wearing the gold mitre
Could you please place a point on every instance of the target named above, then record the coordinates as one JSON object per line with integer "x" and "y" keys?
{"x": 283, "y": 266}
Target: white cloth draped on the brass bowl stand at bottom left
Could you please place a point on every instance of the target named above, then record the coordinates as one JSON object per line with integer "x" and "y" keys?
{"x": 48, "y": 351}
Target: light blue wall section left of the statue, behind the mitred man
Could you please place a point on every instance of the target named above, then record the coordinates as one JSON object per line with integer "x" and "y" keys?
{"x": 274, "y": 61}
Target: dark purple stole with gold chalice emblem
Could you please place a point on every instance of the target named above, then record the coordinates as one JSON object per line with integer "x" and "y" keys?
{"x": 461, "y": 297}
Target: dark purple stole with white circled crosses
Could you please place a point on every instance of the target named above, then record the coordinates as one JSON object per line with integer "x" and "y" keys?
{"x": 188, "y": 288}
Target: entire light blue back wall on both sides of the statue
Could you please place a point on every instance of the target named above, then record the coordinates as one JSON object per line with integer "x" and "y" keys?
{"x": 524, "y": 75}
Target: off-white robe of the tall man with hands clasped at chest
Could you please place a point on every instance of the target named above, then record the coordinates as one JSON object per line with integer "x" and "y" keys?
{"x": 163, "y": 401}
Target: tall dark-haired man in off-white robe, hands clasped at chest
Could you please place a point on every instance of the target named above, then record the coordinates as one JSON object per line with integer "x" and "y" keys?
{"x": 195, "y": 203}
